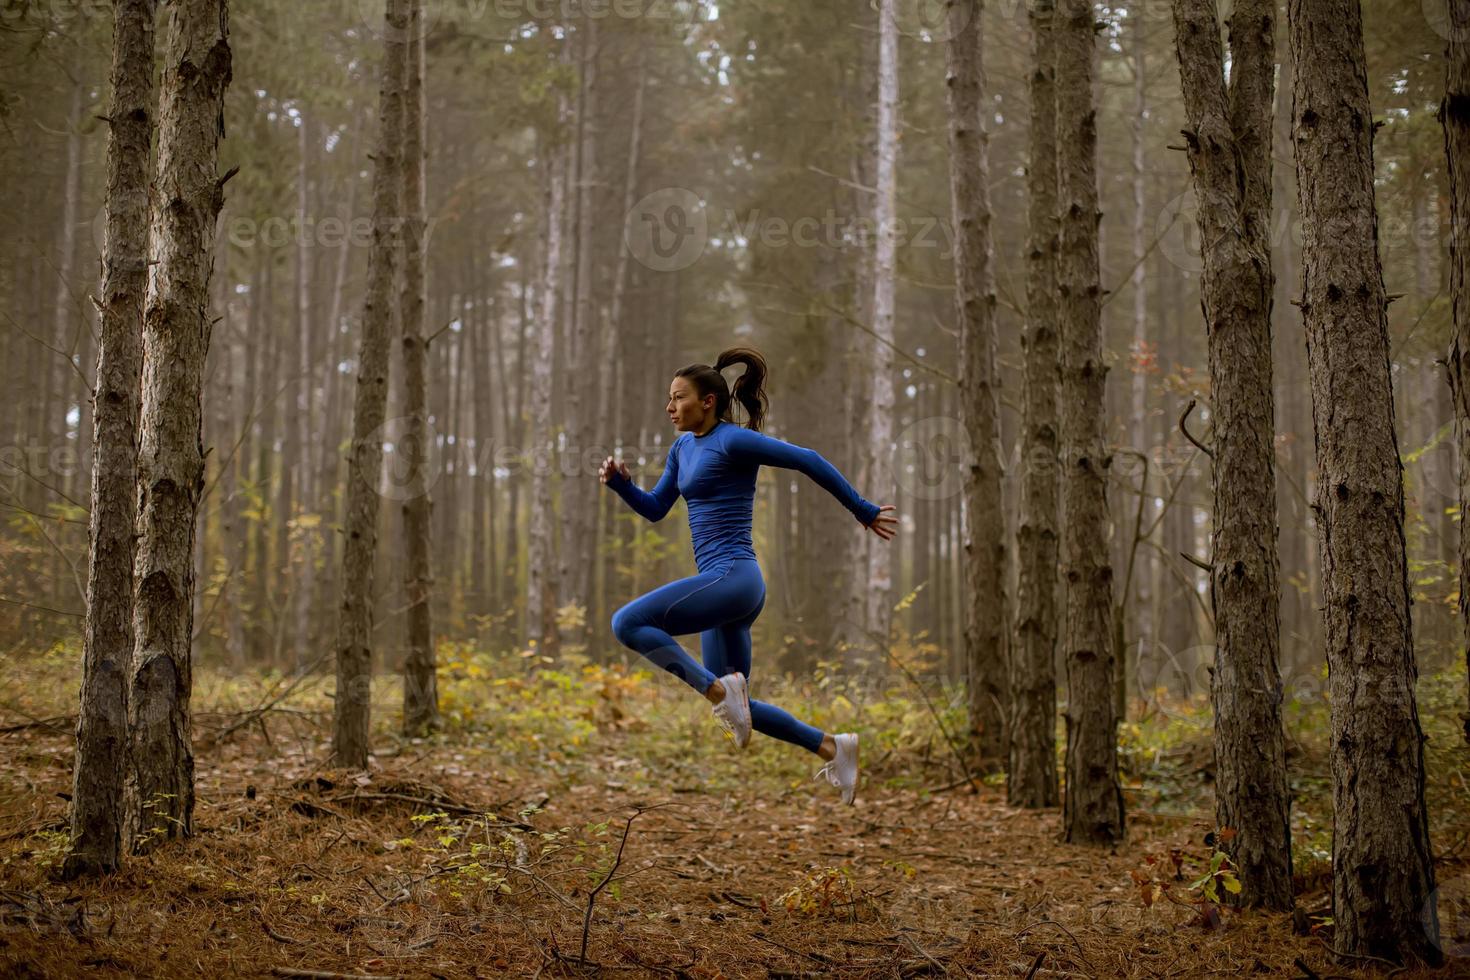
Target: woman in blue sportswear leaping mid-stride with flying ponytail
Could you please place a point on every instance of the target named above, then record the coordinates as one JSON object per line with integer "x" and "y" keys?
{"x": 714, "y": 466}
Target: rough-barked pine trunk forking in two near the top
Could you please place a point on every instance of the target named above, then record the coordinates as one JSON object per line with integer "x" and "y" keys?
{"x": 1230, "y": 143}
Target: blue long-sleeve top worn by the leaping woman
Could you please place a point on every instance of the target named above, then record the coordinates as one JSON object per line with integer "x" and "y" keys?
{"x": 717, "y": 477}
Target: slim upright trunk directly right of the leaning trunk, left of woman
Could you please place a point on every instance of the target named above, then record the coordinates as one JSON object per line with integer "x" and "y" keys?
{"x": 421, "y": 705}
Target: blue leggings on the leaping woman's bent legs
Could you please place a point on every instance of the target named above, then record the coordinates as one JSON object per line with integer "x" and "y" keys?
{"x": 720, "y": 605}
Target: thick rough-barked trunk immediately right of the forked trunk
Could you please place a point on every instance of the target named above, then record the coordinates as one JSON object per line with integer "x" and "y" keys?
{"x": 1384, "y": 879}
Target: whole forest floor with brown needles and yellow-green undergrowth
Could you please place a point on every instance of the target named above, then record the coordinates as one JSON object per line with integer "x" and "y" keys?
{"x": 605, "y": 809}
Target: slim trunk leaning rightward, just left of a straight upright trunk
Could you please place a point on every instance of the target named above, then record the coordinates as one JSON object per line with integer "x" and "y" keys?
{"x": 351, "y": 710}
